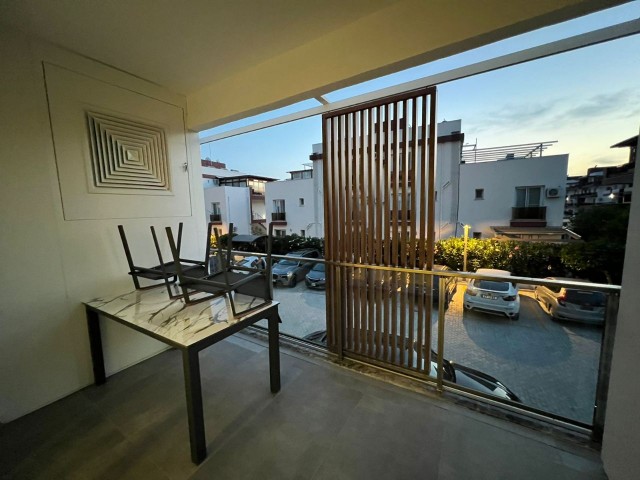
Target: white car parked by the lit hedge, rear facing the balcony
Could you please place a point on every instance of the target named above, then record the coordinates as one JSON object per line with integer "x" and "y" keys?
{"x": 493, "y": 296}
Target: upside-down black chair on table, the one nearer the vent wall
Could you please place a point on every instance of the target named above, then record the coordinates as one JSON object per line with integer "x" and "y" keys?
{"x": 165, "y": 271}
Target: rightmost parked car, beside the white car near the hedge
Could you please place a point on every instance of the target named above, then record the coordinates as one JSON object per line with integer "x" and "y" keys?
{"x": 570, "y": 303}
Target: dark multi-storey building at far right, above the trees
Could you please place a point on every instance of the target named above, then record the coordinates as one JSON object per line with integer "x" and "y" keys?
{"x": 602, "y": 185}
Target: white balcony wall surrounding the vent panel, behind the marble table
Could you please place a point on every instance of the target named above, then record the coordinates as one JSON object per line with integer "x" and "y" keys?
{"x": 50, "y": 265}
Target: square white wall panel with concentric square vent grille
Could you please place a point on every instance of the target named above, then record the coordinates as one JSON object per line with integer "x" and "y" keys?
{"x": 119, "y": 153}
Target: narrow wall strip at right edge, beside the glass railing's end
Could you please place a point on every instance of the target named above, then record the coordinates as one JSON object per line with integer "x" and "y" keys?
{"x": 622, "y": 426}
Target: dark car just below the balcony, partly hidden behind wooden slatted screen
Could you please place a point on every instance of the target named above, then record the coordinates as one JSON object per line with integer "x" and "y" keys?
{"x": 452, "y": 372}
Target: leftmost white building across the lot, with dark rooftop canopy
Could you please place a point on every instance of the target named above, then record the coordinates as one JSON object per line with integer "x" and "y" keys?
{"x": 234, "y": 197}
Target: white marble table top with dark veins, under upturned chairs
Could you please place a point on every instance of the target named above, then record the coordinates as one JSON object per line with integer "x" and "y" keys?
{"x": 152, "y": 310}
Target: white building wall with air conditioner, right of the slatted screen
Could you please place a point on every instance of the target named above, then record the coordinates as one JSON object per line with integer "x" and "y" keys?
{"x": 499, "y": 180}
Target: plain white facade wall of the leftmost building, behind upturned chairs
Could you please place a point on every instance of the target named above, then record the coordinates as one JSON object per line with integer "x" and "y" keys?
{"x": 234, "y": 207}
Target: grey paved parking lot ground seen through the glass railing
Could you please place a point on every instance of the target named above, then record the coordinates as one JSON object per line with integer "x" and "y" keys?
{"x": 551, "y": 366}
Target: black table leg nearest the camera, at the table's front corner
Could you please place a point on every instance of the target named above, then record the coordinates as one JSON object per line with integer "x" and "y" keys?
{"x": 193, "y": 388}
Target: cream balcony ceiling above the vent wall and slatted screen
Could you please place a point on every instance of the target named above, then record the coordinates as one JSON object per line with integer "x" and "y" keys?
{"x": 232, "y": 58}
